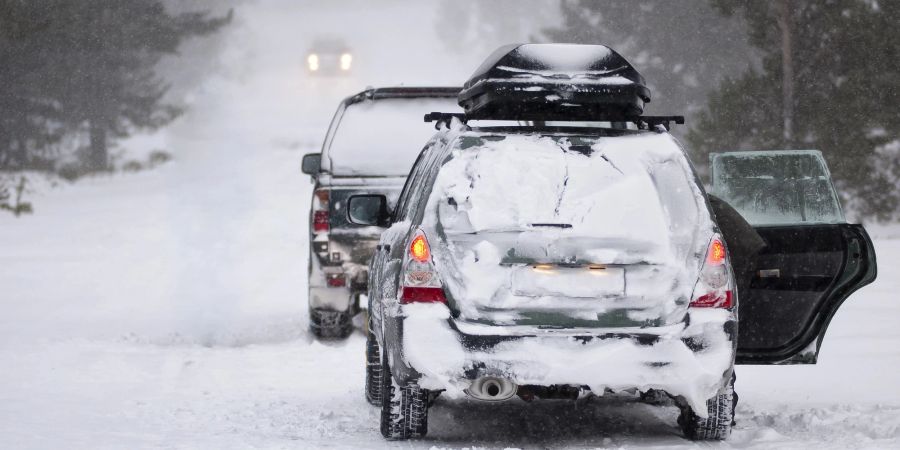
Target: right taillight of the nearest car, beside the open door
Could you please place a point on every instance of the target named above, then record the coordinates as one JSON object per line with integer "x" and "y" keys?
{"x": 714, "y": 288}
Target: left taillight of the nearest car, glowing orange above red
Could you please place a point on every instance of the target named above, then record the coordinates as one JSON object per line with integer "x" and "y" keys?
{"x": 420, "y": 283}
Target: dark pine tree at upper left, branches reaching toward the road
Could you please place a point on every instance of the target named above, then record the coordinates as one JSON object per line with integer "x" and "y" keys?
{"x": 93, "y": 63}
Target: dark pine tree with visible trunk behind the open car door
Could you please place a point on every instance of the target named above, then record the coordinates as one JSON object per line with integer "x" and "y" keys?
{"x": 830, "y": 80}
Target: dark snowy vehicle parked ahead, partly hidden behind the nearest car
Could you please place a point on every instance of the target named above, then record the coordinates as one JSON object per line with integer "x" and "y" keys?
{"x": 370, "y": 145}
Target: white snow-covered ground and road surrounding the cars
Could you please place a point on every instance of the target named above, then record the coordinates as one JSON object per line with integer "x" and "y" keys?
{"x": 166, "y": 308}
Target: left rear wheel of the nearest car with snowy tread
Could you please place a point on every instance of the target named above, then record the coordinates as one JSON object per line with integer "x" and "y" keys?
{"x": 404, "y": 409}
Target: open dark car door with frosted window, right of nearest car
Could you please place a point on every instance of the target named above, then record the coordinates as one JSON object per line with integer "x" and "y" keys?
{"x": 813, "y": 259}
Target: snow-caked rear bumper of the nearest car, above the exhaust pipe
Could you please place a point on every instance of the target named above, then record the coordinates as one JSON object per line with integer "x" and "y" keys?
{"x": 689, "y": 360}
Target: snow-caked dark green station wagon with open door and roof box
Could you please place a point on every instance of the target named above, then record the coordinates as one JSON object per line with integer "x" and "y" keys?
{"x": 546, "y": 260}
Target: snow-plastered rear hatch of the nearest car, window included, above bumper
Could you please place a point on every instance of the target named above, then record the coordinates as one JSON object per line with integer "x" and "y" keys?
{"x": 569, "y": 230}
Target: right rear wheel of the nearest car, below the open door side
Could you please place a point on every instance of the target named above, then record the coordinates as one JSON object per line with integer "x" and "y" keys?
{"x": 715, "y": 427}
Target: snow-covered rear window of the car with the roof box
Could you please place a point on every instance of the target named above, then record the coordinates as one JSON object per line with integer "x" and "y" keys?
{"x": 636, "y": 188}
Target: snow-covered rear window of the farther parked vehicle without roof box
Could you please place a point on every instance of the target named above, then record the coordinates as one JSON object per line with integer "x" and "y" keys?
{"x": 383, "y": 137}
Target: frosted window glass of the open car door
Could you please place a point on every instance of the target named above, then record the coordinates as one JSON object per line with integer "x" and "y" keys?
{"x": 776, "y": 187}
